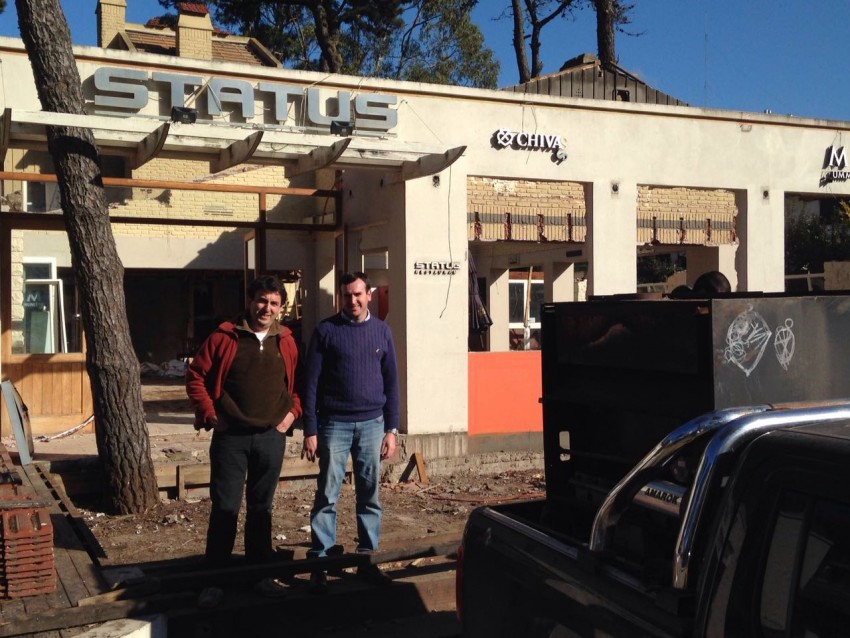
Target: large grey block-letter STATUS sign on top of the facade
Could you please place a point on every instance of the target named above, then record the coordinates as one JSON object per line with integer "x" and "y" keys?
{"x": 129, "y": 90}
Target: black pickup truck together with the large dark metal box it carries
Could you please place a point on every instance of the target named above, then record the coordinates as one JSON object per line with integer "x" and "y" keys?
{"x": 735, "y": 522}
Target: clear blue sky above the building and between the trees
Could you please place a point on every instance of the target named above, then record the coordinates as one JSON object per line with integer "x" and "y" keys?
{"x": 786, "y": 56}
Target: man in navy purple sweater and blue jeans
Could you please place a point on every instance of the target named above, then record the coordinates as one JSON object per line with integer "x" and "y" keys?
{"x": 351, "y": 405}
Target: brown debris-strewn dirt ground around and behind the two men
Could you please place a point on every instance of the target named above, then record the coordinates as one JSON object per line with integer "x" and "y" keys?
{"x": 413, "y": 511}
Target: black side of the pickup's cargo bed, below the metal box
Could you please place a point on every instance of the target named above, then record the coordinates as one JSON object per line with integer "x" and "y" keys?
{"x": 526, "y": 569}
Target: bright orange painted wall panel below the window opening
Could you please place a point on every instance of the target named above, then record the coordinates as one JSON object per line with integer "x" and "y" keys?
{"x": 504, "y": 392}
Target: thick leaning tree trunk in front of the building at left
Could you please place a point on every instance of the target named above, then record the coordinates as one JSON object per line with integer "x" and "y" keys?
{"x": 121, "y": 431}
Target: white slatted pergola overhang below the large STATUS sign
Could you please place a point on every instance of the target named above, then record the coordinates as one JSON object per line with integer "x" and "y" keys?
{"x": 141, "y": 139}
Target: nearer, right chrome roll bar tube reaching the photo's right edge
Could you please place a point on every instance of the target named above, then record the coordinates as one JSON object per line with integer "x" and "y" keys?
{"x": 726, "y": 442}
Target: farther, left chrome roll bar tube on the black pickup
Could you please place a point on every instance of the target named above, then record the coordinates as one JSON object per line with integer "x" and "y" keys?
{"x": 625, "y": 491}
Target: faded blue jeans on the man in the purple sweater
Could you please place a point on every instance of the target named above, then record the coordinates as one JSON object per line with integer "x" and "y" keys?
{"x": 336, "y": 440}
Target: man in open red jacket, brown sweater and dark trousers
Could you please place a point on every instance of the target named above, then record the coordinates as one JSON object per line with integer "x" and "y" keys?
{"x": 241, "y": 384}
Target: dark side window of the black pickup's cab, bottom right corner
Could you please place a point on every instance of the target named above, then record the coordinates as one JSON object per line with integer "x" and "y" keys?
{"x": 806, "y": 586}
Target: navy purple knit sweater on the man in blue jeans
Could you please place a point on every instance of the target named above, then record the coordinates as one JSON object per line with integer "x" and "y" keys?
{"x": 350, "y": 374}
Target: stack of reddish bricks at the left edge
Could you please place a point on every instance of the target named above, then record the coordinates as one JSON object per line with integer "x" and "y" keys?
{"x": 27, "y": 566}
